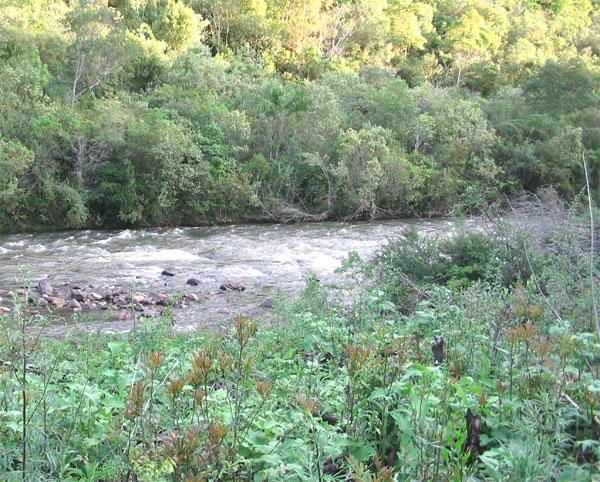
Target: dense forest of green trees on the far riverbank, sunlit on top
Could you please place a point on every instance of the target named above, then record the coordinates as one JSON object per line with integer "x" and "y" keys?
{"x": 162, "y": 112}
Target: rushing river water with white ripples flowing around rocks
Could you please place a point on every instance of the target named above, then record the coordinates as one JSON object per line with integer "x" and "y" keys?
{"x": 266, "y": 258}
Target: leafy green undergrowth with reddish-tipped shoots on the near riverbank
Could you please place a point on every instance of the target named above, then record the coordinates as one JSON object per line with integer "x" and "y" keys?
{"x": 335, "y": 387}
